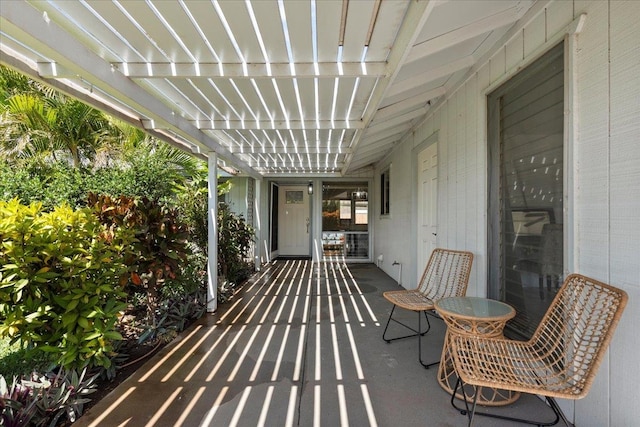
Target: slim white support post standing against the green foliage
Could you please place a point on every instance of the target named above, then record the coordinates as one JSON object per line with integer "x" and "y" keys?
{"x": 212, "y": 264}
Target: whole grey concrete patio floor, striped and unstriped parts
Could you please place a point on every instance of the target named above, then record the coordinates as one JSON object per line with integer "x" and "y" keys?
{"x": 300, "y": 345}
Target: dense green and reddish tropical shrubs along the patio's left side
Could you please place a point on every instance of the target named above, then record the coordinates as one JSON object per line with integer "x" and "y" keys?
{"x": 104, "y": 235}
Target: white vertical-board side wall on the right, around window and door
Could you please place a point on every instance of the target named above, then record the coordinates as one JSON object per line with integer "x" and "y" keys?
{"x": 606, "y": 186}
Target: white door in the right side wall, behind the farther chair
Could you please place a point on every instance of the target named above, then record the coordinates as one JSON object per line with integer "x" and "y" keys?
{"x": 427, "y": 205}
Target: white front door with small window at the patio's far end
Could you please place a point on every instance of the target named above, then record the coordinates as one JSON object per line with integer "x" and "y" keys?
{"x": 293, "y": 221}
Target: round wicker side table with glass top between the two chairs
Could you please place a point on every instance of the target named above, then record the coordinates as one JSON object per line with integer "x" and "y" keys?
{"x": 476, "y": 317}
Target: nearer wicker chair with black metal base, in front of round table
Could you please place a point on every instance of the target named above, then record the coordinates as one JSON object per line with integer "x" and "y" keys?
{"x": 559, "y": 361}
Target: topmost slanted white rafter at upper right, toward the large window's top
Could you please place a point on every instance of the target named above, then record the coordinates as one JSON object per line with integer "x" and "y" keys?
{"x": 467, "y": 32}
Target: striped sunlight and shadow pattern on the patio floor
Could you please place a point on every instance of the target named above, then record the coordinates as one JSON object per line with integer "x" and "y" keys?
{"x": 286, "y": 342}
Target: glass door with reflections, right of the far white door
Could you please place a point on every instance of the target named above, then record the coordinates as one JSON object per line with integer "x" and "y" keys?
{"x": 345, "y": 220}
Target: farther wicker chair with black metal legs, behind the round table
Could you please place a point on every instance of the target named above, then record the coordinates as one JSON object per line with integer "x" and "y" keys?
{"x": 446, "y": 274}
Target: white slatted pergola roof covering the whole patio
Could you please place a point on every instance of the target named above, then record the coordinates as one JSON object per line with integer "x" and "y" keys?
{"x": 276, "y": 88}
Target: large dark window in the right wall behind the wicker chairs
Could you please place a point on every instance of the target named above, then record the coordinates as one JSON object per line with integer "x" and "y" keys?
{"x": 526, "y": 168}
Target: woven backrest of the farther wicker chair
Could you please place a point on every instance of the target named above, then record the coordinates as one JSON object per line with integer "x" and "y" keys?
{"x": 446, "y": 274}
